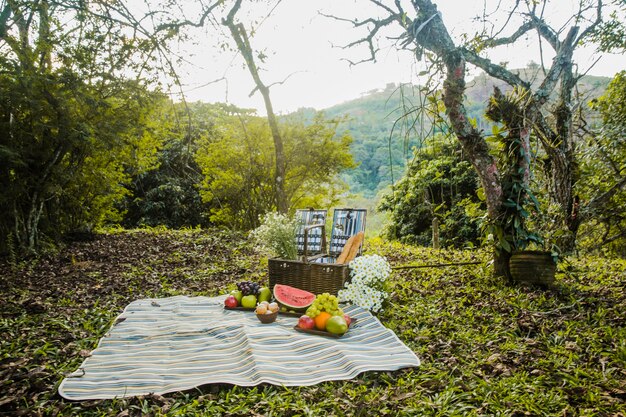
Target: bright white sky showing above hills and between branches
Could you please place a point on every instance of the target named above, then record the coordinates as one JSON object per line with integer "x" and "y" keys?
{"x": 311, "y": 69}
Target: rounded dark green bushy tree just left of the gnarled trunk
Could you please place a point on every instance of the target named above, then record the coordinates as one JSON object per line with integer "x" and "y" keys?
{"x": 438, "y": 183}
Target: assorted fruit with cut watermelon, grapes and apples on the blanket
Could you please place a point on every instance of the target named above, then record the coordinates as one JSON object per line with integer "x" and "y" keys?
{"x": 322, "y": 311}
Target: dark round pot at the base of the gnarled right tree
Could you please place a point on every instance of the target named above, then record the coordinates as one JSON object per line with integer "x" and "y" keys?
{"x": 532, "y": 267}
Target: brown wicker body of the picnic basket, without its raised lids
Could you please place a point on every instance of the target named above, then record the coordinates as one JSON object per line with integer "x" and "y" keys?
{"x": 317, "y": 278}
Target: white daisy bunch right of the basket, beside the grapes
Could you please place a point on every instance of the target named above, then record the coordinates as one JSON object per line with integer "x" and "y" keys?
{"x": 366, "y": 289}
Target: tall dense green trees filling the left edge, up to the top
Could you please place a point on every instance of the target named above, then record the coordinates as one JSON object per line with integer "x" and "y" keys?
{"x": 71, "y": 132}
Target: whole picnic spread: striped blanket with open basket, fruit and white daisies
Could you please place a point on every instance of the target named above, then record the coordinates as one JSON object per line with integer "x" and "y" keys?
{"x": 294, "y": 332}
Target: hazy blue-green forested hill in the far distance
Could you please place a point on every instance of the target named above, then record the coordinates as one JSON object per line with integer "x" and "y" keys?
{"x": 371, "y": 118}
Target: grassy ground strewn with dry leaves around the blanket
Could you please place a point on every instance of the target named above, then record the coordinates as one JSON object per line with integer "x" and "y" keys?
{"x": 487, "y": 348}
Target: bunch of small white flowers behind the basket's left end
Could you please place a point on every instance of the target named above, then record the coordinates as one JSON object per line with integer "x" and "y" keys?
{"x": 276, "y": 236}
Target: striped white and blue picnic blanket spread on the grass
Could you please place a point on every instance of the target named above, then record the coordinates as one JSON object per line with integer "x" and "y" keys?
{"x": 178, "y": 343}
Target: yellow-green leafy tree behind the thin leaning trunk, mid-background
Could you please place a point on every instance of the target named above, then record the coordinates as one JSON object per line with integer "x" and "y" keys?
{"x": 237, "y": 163}
